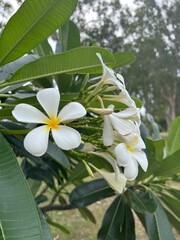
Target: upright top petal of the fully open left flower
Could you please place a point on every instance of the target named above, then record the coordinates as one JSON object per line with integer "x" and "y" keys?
{"x": 49, "y": 99}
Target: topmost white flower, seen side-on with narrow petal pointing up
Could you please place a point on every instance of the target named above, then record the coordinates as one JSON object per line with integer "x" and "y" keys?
{"x": 109, "y": 76}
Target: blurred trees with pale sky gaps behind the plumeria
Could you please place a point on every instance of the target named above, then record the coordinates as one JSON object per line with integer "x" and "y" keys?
{"x": 151, "y": 30}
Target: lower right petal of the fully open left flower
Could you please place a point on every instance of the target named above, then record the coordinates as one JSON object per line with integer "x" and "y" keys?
{"x": 66, "y": 138}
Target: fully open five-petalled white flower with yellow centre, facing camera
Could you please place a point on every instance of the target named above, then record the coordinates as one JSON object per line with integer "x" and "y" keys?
{"x": 36, "y": 141}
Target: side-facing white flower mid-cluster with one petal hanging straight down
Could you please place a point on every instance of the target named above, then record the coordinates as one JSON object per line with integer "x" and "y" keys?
{"x": 118, "y": 121}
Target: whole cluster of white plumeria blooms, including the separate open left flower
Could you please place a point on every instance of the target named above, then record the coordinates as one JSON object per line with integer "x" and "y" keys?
{"x": 121, "y": 136}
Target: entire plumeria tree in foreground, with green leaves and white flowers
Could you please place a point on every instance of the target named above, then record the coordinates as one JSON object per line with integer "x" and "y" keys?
{"x": 67, "y": 115}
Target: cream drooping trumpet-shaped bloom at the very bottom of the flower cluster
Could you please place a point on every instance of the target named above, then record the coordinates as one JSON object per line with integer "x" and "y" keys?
{"x": 117, "y": 183}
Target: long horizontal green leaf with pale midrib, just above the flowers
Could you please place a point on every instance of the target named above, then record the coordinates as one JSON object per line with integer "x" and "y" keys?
{"x": 77, "y": 60}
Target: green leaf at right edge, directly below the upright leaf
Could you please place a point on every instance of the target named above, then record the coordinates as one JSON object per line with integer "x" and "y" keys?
{"x": 170, "y": 165}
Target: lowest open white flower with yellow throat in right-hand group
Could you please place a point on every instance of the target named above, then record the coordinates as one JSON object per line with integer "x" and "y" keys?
{"x": 129, "y": 154}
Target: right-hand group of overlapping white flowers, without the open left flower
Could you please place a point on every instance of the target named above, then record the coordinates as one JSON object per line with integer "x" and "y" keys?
{"x": 121, "y": 132}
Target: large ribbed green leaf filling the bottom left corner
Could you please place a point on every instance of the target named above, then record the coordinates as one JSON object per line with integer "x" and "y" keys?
{"x": 16, "y": 203}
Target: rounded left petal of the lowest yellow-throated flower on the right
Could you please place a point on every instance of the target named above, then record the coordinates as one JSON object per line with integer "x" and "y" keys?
{"x": 122, "y": 155}
